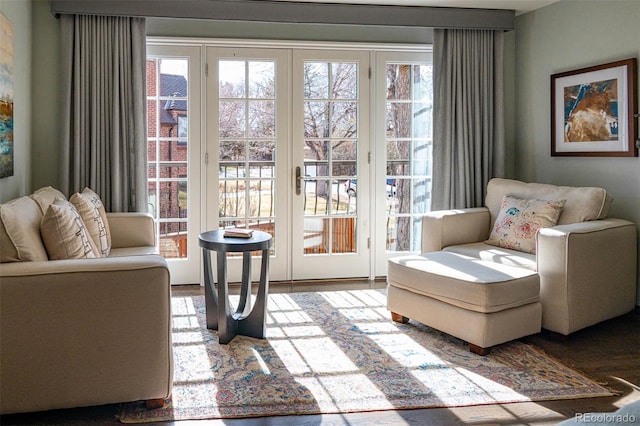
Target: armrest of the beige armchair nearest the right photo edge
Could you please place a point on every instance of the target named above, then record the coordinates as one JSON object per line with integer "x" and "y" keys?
{"x": 587, "y": 272}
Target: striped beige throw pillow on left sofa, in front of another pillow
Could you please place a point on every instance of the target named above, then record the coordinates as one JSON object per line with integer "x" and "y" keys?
{"x": 64, "y": 234}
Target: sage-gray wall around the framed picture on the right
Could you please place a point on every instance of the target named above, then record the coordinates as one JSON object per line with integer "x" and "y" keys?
{"x": 568, "y": 35}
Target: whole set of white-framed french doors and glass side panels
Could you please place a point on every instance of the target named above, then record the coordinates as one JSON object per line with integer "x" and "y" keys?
{"x": 281, "y": 139}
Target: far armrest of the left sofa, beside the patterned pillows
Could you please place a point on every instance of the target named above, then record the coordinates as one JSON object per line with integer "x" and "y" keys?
{"x": 131, "y": 229}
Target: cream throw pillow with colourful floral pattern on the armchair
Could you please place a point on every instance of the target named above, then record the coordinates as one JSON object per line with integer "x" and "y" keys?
{"x": 519, "y": 220}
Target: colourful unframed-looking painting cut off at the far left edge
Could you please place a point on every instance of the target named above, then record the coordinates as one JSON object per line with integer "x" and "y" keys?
{"x": 6, "y": 97}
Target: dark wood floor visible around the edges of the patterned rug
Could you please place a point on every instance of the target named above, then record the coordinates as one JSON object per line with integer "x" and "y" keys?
{"x": 608, "y": 352}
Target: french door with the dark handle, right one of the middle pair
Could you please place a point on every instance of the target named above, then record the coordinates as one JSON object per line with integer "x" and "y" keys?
{"x": 330, "y": 148}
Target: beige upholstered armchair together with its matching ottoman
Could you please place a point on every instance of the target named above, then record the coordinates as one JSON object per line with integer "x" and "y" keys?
{"x": 586, "y": 265}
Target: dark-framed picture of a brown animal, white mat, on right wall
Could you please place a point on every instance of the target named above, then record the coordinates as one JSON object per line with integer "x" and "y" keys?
{"x": 592, "y": 111}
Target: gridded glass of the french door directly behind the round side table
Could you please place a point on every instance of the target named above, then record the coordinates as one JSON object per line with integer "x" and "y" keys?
{"x": 247, "y": 141}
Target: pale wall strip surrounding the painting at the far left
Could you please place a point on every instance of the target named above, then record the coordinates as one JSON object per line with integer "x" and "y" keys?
{"x": 19, "y": 13}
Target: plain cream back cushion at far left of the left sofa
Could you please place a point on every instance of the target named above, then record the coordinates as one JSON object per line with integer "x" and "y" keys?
{"x": 20, "y": 231}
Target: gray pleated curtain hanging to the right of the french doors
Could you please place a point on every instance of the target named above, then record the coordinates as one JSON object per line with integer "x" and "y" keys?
{"x": 468, "y": 127}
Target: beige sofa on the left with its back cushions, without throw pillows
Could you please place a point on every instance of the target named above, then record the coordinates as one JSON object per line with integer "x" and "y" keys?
{"x": 81, "y": 332}
